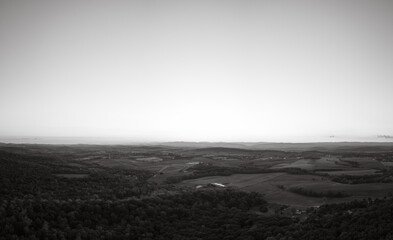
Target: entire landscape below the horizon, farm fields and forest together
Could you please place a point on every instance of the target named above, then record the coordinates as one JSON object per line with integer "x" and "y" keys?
{"x": 171, "y": 192}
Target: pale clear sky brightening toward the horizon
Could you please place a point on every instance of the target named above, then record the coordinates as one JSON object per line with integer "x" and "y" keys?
{"x": 206, "y": 70}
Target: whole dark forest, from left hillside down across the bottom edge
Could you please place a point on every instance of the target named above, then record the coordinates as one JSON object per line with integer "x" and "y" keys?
{"x": 46, "y": 197}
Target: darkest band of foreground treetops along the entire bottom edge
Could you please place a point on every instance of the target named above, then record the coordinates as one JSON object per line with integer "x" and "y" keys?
{"x": 213, "y": 214}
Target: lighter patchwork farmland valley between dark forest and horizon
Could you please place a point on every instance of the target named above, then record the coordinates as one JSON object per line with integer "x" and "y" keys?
{"x": 269, "y": 172}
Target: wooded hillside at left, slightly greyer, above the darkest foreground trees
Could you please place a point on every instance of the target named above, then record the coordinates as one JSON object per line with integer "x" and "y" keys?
{"x": 34, "y": 176}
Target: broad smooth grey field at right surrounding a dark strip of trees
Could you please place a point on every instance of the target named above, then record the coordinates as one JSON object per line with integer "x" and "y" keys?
{"x": 275, "y": 186}
